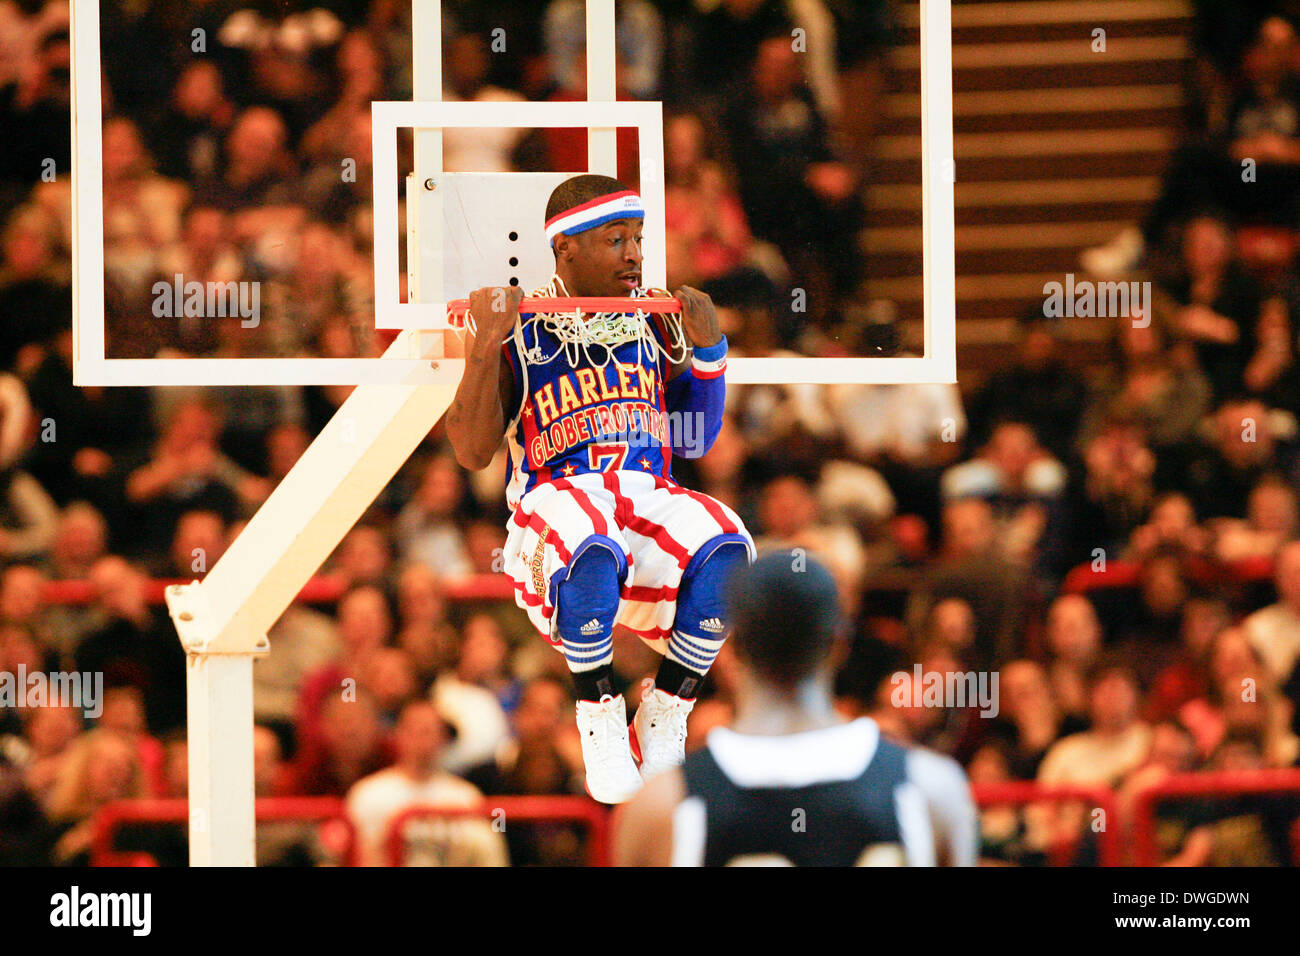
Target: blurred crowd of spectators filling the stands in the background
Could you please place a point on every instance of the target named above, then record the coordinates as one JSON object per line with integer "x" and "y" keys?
{"x": 1119, "y": 544}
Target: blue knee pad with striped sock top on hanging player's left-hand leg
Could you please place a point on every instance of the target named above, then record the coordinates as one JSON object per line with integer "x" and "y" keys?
{"x": 587, "y": 596}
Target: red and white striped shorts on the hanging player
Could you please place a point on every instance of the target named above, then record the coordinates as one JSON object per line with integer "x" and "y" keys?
{"x": 656, "y": 524}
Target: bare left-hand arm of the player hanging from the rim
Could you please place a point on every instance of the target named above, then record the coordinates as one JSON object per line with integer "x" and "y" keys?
{"x": 476, "y": 421}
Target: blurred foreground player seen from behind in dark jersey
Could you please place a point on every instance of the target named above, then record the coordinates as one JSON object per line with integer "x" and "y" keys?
{"x": 790, "y": 782}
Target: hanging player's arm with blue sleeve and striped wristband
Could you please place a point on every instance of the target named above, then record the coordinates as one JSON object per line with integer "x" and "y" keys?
{"x": 700, "y": 392}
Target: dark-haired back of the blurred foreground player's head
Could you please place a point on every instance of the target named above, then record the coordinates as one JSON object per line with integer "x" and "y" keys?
{"x": 786, "y": 616}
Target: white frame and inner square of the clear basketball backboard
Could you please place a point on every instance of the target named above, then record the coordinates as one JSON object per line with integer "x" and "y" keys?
{"x": 457, "y": 228}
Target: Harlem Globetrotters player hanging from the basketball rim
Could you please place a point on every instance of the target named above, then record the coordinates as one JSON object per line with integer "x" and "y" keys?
{"x": 593, "y": 409}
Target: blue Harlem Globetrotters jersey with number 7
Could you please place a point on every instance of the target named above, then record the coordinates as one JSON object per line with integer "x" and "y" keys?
{"x": 591, "y": 417}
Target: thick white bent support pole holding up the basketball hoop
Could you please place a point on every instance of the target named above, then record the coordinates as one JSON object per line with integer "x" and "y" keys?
{"x": 224, "y": 620}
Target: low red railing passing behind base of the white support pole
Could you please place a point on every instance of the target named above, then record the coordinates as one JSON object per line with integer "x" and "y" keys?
{"x": 114, "y": 816}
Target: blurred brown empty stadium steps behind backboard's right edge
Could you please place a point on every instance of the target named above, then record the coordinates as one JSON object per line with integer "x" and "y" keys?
{"x": 1058, "y": 149}
